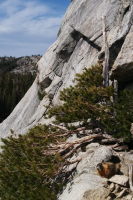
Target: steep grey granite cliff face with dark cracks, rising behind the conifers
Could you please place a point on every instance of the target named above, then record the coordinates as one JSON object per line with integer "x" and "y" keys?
{"x": 79, "y": 45}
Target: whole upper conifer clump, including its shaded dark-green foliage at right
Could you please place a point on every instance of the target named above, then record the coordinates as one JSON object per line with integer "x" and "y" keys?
{"x": 88, "y": 99}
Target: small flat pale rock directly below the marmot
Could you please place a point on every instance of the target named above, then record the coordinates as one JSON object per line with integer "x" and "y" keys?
{"x": 119, "y": 179}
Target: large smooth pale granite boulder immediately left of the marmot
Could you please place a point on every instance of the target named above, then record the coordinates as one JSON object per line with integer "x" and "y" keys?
{"x": 86, "y": 177}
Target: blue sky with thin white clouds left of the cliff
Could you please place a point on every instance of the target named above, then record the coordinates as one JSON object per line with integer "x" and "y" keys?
{"x": 29, "y": 27}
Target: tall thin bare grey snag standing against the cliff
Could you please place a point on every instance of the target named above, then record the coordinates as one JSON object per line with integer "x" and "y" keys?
{"x": 106, "y": 60}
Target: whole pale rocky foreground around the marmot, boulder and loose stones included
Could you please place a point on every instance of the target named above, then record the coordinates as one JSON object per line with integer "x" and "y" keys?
{"x": 86, "y": 184}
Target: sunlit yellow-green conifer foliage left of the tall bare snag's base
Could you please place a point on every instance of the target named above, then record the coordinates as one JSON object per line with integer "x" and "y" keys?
{"x": 88, "y": 99}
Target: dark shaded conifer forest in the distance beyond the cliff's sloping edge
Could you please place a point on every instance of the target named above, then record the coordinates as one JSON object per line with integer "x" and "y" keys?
{"x": 12, "y": 89}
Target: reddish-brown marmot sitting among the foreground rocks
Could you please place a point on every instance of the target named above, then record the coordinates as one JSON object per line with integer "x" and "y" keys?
{"x": 108, "y": 169}
